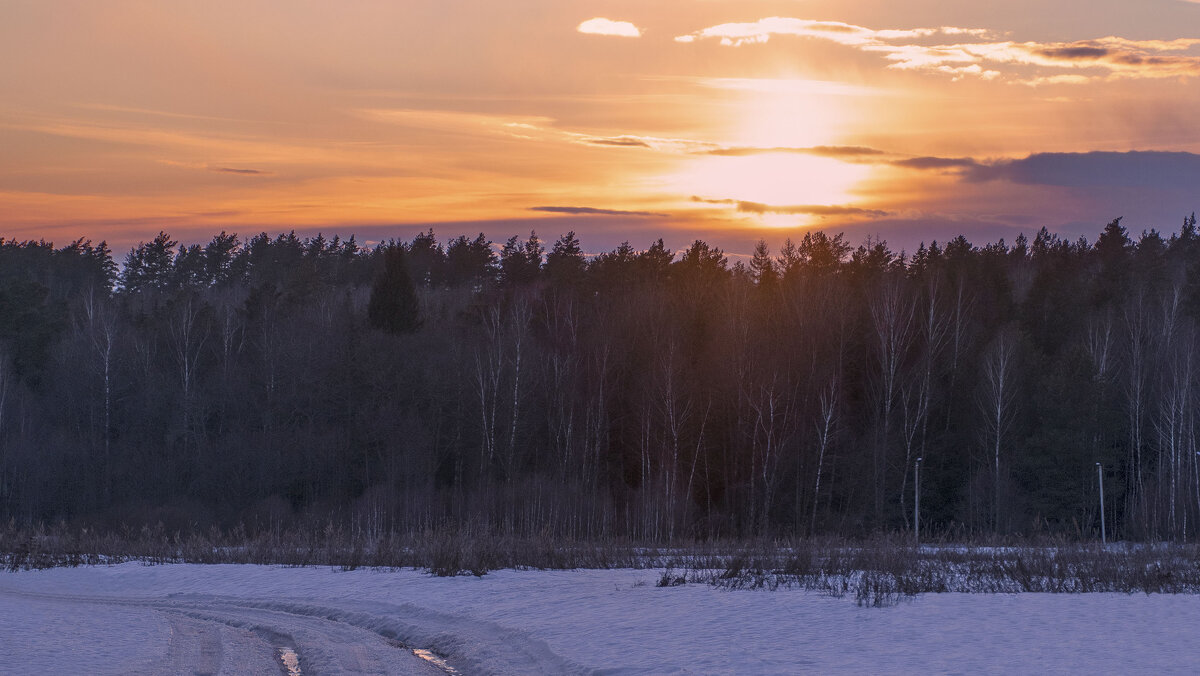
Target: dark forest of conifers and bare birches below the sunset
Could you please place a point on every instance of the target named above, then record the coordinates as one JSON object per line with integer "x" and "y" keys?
{"x": 655, "y": 396}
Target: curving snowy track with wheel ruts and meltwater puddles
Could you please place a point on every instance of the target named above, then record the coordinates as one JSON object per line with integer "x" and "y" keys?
{"x": 211, "y": 635}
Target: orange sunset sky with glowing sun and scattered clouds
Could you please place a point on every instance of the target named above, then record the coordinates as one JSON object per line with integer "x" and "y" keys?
{"x": 727, "y": 121}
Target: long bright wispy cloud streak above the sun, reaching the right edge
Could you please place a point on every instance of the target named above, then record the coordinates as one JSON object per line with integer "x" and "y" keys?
{"x": 1112, "y": 58}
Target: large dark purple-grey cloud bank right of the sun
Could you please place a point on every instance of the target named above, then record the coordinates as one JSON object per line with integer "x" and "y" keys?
{"x": 1144, "y": 170}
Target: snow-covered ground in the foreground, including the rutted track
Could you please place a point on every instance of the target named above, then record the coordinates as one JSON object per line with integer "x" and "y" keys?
{"x": 135, "y": 619}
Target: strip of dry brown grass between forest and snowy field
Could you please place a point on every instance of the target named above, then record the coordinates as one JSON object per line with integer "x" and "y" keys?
{"x": 879, "y": 572}
